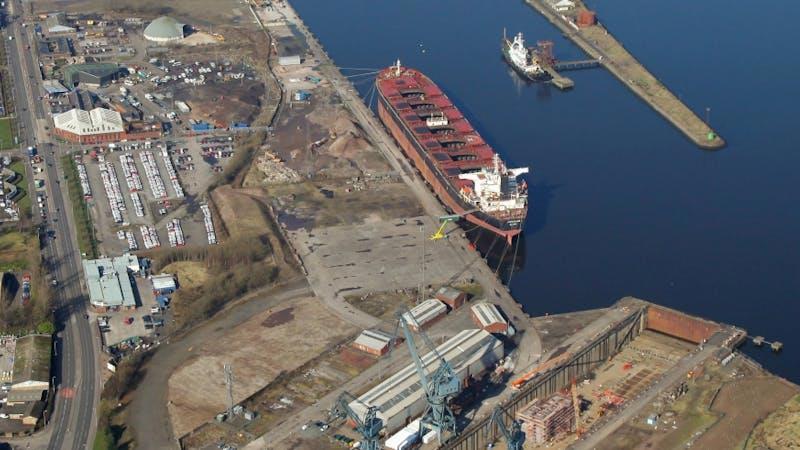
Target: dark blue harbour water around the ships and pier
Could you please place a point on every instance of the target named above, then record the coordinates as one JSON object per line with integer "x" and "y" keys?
{"x": 622, "y": 203}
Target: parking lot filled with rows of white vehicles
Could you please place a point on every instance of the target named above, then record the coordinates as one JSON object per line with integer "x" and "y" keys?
{"x": 139, "y": 197}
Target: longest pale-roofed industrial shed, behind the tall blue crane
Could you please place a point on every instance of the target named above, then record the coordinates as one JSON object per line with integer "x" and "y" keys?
{"x": 401, "y": 398}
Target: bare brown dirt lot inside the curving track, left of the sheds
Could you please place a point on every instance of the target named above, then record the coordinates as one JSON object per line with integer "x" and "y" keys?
{"x": 271, "y": 342}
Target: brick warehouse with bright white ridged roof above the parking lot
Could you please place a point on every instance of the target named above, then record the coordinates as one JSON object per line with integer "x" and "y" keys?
{"x": 89, "y": 127}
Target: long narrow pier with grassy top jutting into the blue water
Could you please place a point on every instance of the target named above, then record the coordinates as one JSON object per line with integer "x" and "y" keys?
{"x": 596, "y": 41}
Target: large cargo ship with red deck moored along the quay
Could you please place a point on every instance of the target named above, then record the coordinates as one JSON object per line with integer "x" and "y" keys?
{"x": 463, "y": 170}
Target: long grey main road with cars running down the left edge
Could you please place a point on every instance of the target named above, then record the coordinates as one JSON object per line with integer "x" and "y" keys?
{"x": 72, "y": 422}
